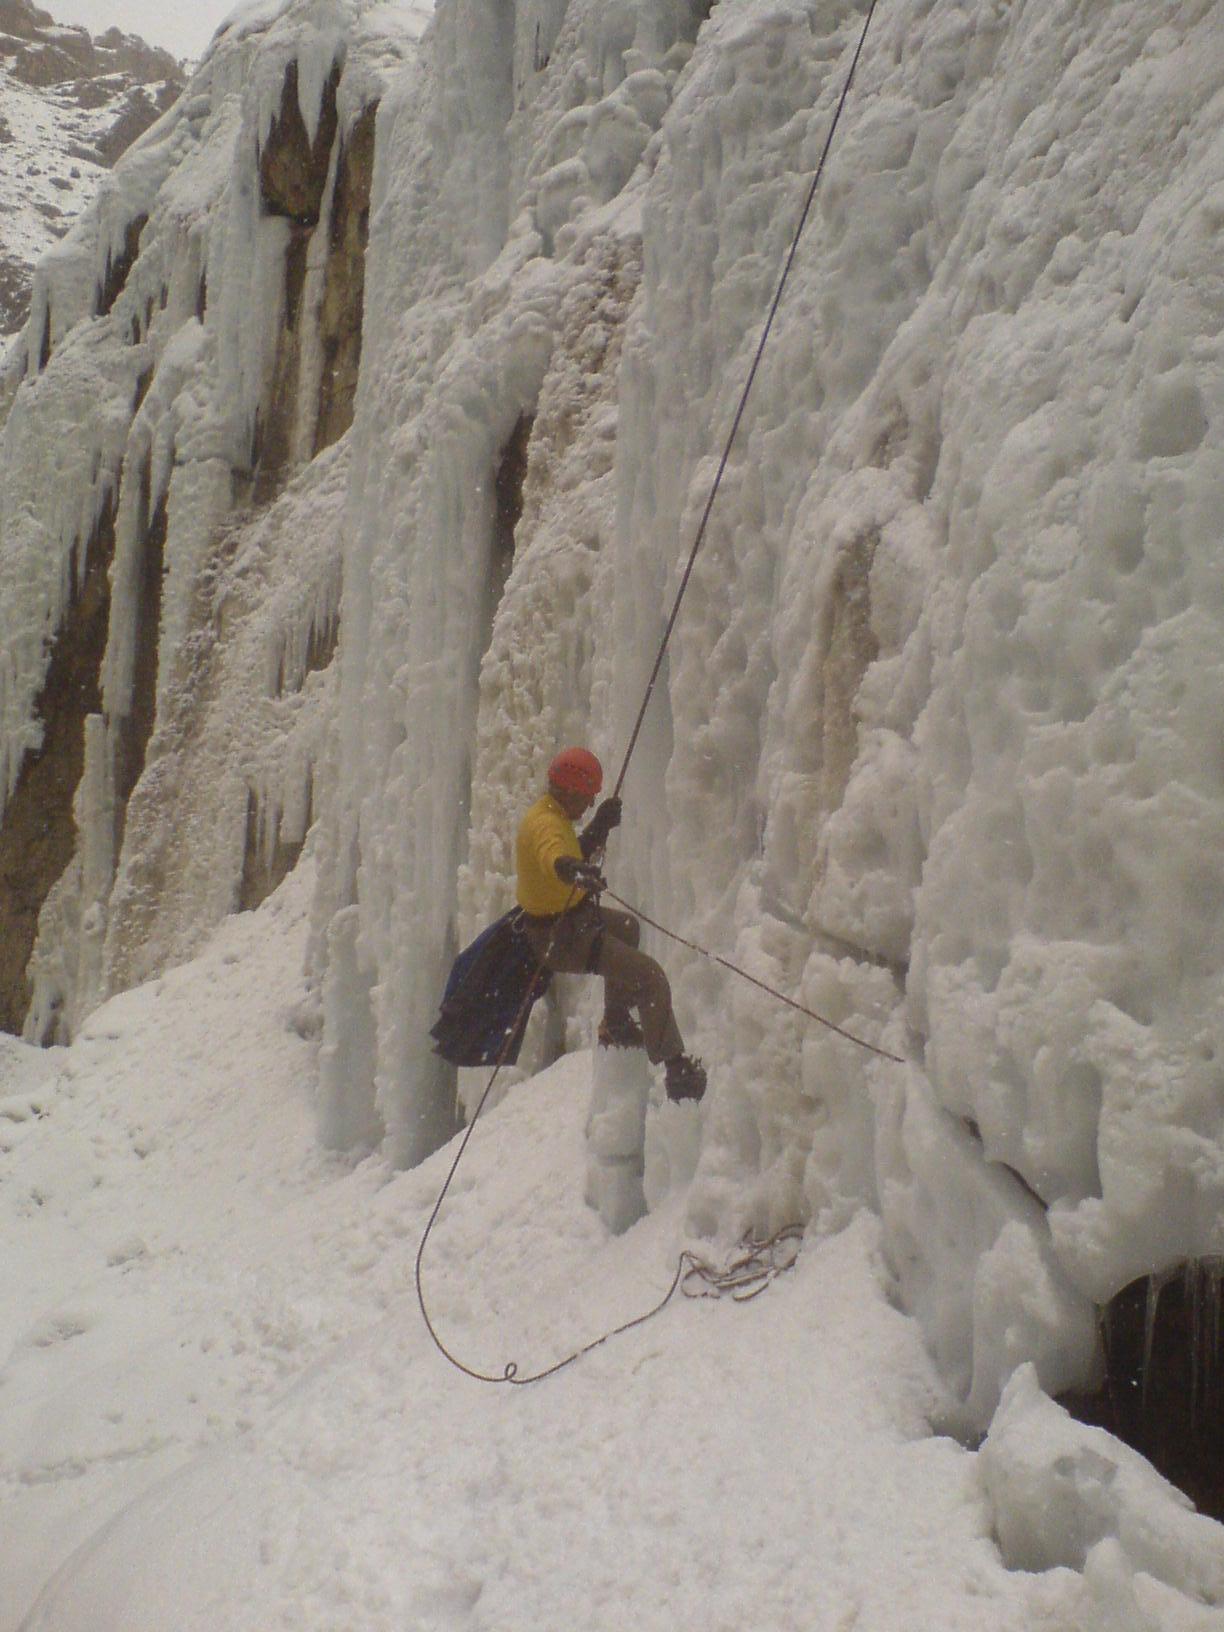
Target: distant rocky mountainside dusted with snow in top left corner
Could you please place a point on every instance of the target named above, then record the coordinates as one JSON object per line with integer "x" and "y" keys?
{"x": 69, "y": 107}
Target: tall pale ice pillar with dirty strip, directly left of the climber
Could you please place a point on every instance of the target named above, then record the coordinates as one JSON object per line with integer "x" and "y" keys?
{"x": 456, "y": 691}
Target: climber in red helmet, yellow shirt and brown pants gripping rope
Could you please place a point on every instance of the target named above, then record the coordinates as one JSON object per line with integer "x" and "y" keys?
{"x": 559, "y": 885}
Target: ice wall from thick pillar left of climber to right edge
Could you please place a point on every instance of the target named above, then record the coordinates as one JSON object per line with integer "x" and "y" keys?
{"x": 931, "y": 748}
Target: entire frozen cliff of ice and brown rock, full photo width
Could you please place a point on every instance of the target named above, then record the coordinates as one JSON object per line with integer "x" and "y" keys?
{"x": 352, "y": 458}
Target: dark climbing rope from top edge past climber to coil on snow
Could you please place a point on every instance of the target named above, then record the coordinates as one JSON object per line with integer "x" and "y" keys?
{"x": 760, "y": 1264}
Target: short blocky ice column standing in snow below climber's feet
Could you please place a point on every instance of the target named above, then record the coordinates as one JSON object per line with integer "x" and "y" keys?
{"x": 616, "y": 1137}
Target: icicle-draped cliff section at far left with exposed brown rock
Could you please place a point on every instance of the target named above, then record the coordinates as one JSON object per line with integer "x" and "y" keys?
{"x": 167, "y": 461}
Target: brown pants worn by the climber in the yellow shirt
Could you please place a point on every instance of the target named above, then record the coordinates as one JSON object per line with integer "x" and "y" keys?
{"x": 596, "y": 941}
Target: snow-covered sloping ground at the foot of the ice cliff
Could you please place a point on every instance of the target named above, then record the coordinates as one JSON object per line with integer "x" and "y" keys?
{"x": 220, "y": 1406}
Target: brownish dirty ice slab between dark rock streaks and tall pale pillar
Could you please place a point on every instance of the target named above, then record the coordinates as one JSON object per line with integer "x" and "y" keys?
{"x": 242, "y": 729}
